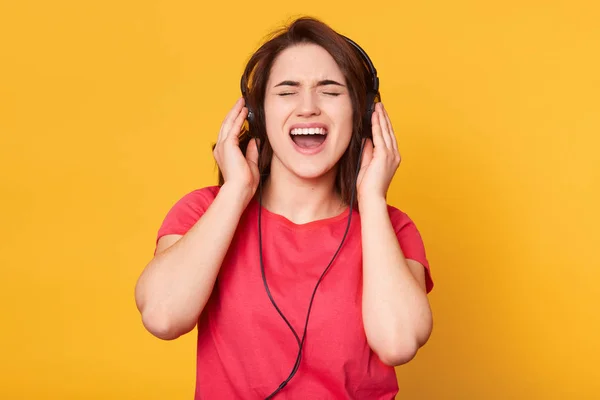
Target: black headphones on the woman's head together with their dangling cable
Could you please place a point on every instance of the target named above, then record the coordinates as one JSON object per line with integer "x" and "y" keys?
{"x": 373, "y": 96}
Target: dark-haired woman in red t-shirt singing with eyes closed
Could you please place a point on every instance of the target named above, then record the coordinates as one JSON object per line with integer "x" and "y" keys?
{"x": 302, "y": 281}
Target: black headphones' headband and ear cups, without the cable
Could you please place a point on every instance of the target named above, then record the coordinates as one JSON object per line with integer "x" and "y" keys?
{"x": 373, "y": 95}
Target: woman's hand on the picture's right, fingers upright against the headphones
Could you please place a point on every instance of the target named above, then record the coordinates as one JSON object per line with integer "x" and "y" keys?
{"x": 380, "y": 158}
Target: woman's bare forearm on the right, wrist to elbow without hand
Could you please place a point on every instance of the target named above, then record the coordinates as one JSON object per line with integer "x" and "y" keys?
{"x": 396, "y": 312}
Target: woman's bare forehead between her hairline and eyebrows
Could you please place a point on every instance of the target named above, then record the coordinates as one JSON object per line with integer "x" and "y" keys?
{"x": 305, "y": 62}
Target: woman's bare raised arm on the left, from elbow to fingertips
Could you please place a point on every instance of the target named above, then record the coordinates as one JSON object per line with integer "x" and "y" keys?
{"x": 175, "y": 286}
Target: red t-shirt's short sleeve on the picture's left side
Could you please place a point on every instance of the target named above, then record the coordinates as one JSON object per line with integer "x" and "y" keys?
{"x": 184, "y": 214}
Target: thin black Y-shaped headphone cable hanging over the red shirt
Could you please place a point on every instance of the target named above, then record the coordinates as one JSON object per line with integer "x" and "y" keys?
{"x": 301, "y": 342}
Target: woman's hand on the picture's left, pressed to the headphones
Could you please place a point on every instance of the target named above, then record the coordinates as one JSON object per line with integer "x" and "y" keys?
{"x": 238, "y": 171}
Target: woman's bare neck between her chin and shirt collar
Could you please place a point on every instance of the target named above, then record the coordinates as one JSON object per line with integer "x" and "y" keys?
{"x": 301, "y": 200}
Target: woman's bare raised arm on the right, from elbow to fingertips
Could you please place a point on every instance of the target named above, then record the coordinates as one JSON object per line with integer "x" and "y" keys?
{"x": 396, "y": 311}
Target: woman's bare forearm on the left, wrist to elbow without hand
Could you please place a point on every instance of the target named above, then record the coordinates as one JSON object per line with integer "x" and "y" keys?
{"x": 175, "y": 286}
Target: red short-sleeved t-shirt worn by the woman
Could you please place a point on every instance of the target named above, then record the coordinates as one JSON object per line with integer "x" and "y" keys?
{"x": 245, "y": 350}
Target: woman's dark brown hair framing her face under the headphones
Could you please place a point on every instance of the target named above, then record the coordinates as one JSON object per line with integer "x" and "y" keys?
{"x": 256, "y": 74}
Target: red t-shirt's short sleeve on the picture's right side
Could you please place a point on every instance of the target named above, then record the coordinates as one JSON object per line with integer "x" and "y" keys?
{"x": 411, "y": 242}
